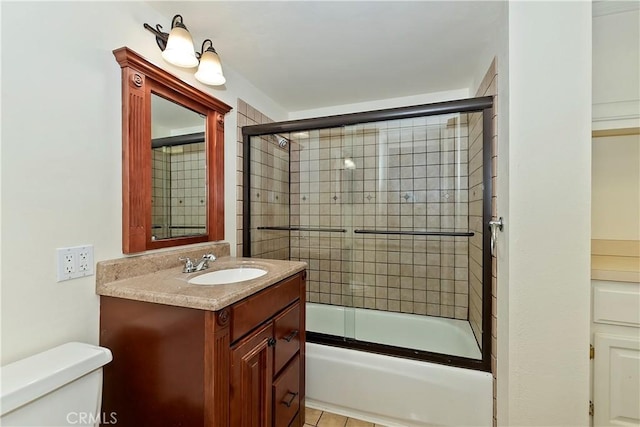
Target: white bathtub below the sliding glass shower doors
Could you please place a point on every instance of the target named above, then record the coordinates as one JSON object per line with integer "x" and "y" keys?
{"x": 389, "y": 390}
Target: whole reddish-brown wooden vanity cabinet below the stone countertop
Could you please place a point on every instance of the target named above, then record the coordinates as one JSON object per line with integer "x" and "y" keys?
{"x": 241, "y": 366}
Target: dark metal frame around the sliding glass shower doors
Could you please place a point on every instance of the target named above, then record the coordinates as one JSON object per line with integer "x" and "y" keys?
{"x": 469, "y": 105}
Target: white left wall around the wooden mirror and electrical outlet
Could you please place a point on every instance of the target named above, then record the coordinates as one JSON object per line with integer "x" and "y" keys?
{"x": 61, "y": 157}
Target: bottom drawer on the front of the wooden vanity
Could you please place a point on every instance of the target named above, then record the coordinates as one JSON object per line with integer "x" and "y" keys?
{"x": 286, "y": 394}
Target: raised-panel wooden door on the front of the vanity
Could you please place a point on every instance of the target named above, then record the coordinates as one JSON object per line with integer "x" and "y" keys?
{"x": 251, "y": 378}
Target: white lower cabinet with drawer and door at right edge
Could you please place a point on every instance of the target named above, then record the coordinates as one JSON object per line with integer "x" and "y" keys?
{"x": 616, "y": 364}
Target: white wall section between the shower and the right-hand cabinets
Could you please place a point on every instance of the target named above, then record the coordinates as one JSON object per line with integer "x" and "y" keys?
{"x": 549, "y": 214}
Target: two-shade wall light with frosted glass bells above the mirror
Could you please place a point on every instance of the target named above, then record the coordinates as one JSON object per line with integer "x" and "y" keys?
{"x": 177, "y": 49}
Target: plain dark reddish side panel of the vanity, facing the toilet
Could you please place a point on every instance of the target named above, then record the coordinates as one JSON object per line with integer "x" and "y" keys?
{"x": 152, "y": 346}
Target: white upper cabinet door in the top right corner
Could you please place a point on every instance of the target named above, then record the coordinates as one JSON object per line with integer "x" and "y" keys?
{"x": 616, "y": 66}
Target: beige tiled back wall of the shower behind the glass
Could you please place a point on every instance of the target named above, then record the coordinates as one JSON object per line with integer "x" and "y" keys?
{"x": 397, "y": 175}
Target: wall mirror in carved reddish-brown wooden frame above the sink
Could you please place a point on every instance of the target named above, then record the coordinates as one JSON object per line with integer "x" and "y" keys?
{"x": 173, "y": 159}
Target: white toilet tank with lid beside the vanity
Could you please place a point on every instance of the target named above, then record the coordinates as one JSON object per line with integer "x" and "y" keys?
{"x": 58, "y": 387}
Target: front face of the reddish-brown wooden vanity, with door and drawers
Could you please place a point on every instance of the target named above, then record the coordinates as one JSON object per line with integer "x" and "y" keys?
{"x": 263, "y": 357}
